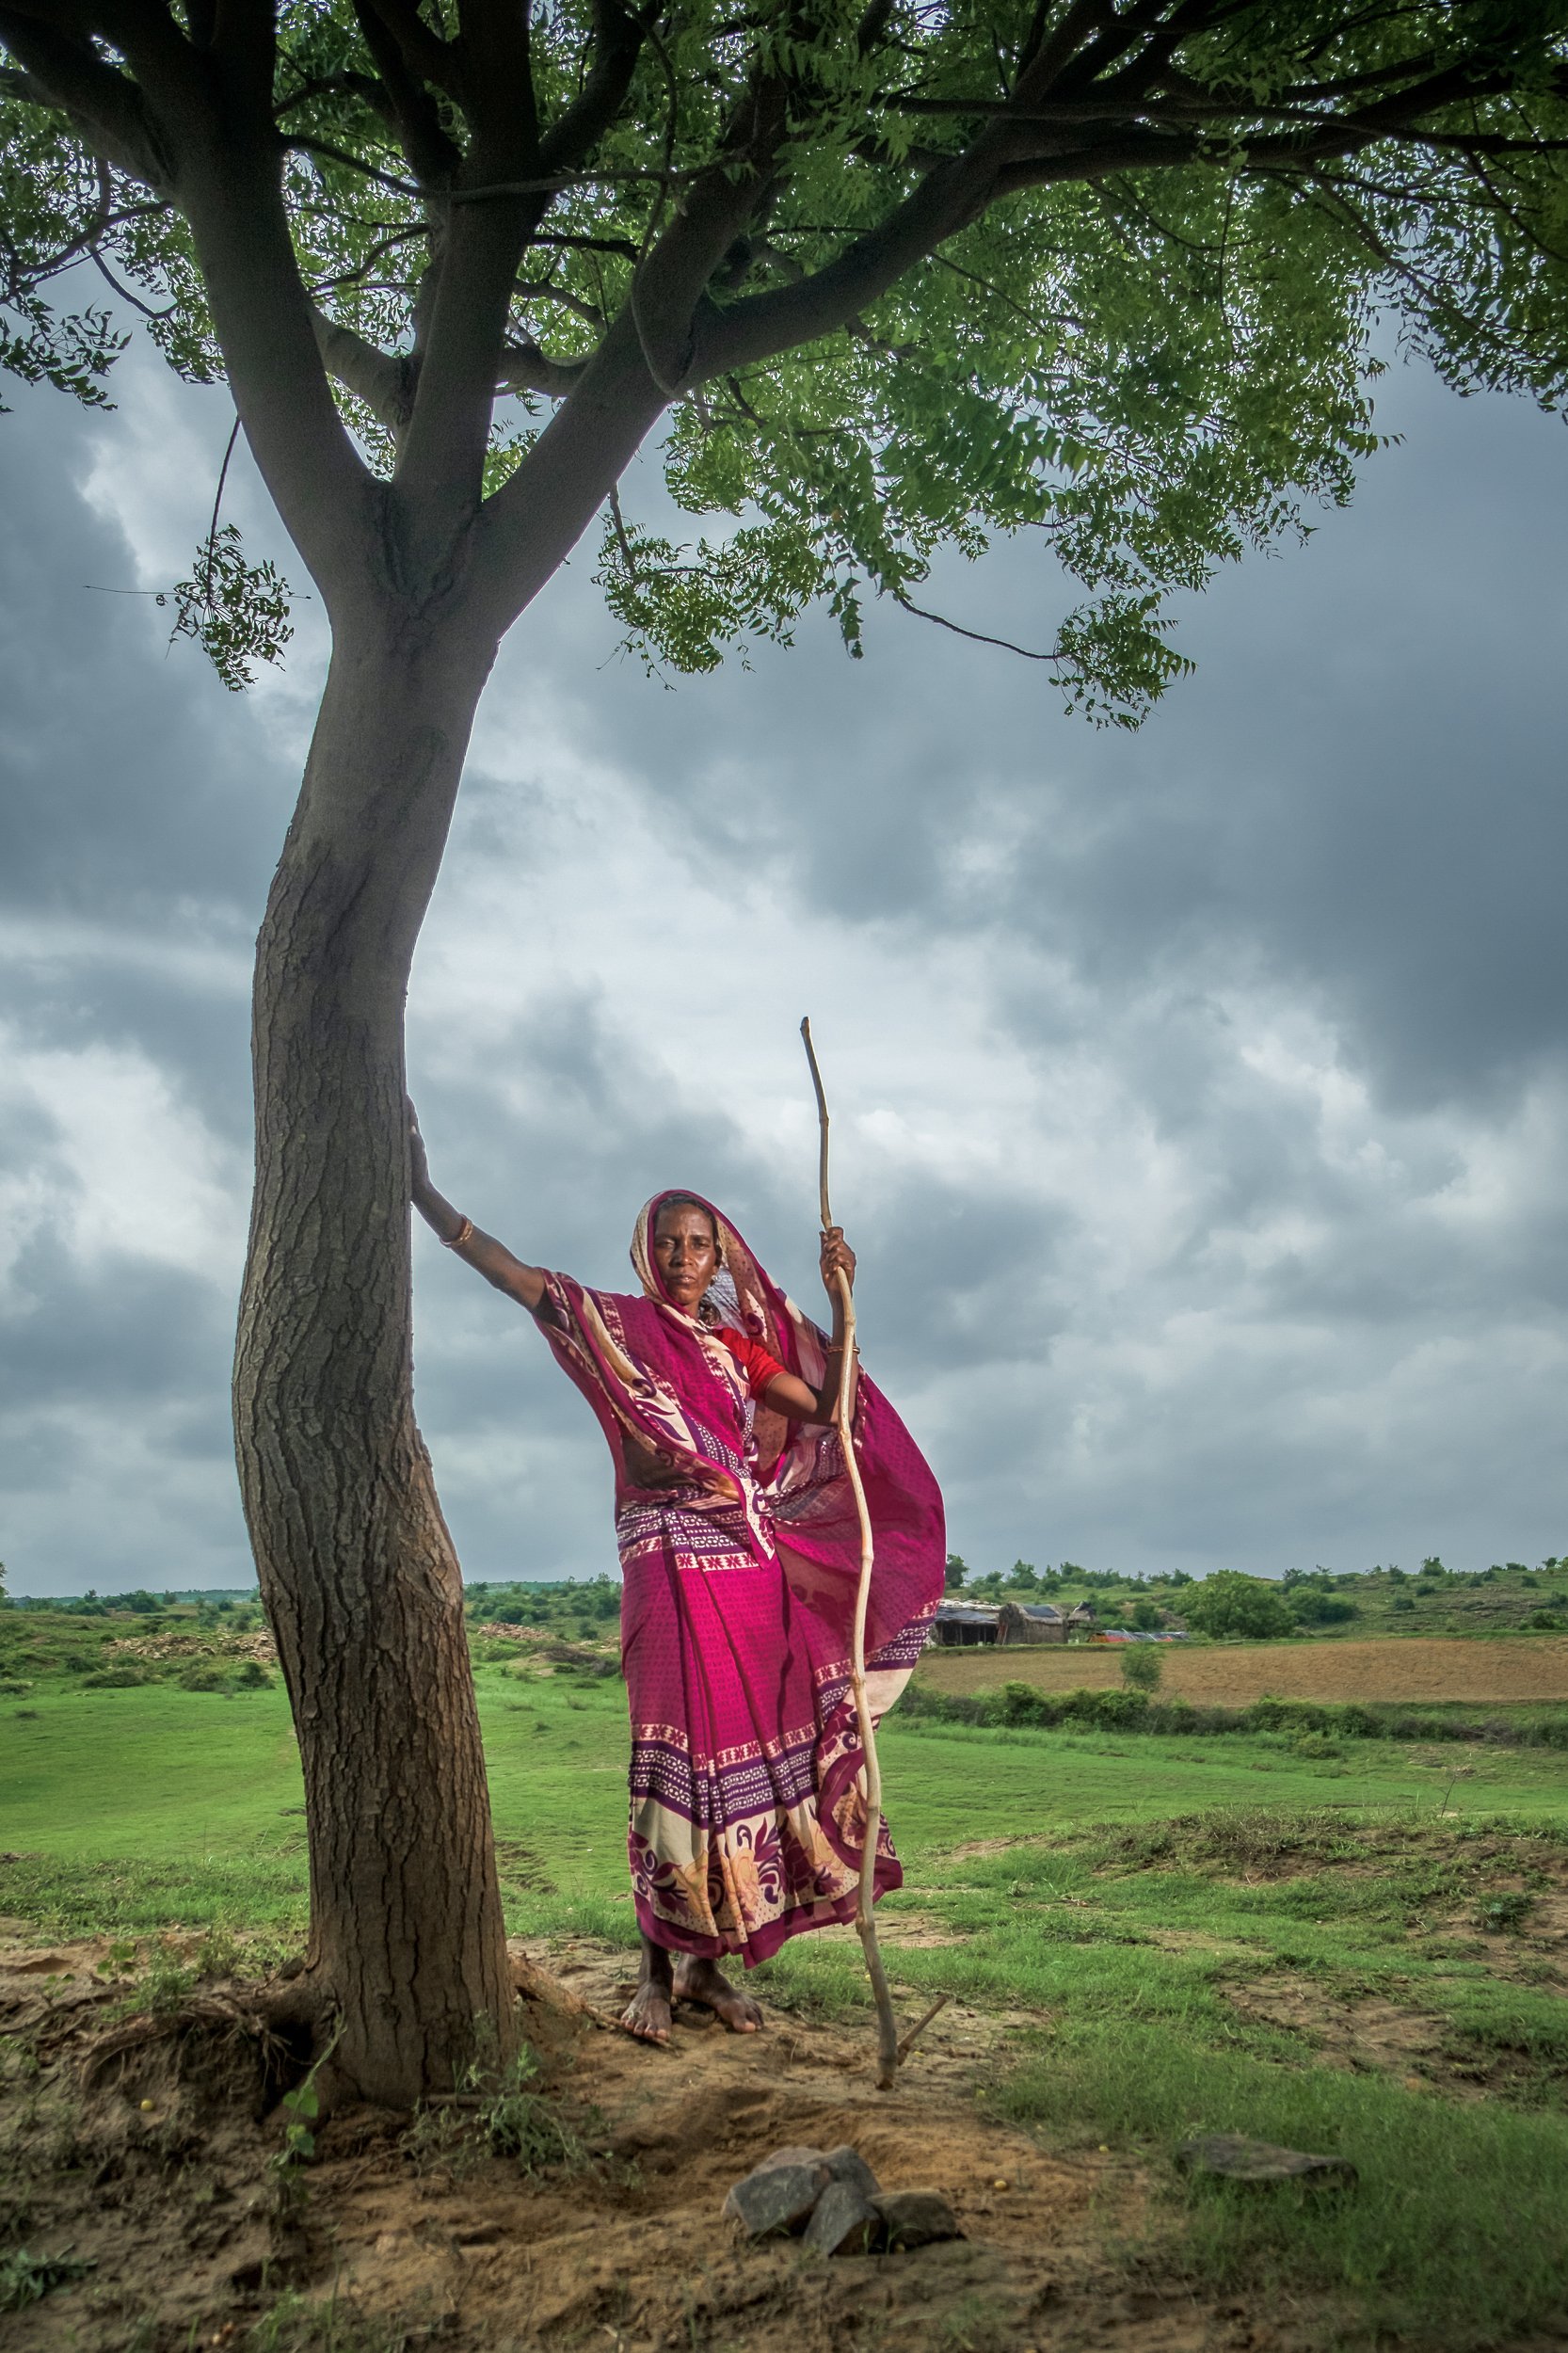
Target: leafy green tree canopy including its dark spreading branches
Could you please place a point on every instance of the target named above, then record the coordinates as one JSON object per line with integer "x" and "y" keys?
{"x": 903, "y": 276}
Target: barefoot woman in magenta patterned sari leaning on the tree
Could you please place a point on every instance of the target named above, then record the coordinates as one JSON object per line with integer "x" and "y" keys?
{"x": 740, "y": 1557}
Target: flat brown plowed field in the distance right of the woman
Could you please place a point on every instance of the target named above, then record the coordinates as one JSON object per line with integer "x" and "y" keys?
{"x": 1421, "y": 1667}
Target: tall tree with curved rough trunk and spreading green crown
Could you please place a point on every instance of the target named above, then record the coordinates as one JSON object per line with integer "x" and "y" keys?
{"x": 884, "y": 279}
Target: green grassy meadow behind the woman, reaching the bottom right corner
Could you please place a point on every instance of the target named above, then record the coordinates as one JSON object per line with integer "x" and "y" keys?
{"x": 1346, "y": 1947}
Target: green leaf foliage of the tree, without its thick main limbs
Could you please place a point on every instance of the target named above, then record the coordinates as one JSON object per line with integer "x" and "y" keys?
{"x": 1150, "y": 342}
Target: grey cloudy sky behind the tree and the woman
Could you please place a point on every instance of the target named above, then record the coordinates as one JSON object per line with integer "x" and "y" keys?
{"x": 1200, "y": 1095}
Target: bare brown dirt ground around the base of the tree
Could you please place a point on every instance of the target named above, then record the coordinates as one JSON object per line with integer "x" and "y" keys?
{"x": 150, "y": 2149}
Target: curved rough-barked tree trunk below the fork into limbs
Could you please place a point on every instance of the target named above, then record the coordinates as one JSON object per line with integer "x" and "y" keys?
{"x": 354, "y": 1559}
